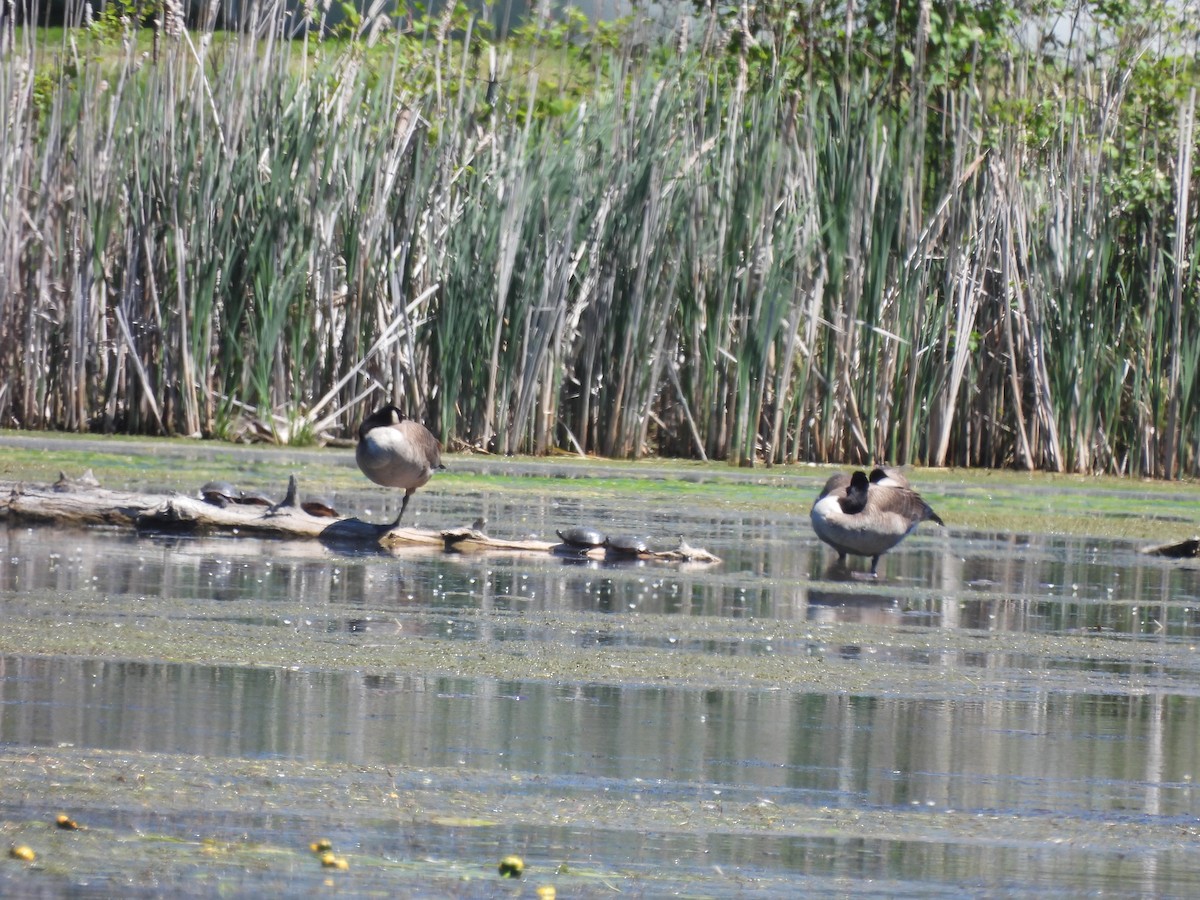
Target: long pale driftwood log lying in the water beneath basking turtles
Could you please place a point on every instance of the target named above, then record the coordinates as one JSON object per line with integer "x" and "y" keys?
{"x": 82, "y": 502}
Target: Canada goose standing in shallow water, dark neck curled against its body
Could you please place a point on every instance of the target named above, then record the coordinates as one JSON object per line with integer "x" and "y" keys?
{"x": 868, "y": 519}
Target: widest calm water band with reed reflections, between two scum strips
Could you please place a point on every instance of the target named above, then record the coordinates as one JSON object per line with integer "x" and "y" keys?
{"x": 1015, "y": 757}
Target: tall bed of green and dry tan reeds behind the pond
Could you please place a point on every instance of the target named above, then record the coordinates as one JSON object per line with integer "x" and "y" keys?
{"x": 692, "y": 251}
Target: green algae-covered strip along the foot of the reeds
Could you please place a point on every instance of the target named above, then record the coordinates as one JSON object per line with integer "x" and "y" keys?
{"x": 968, "y": 500}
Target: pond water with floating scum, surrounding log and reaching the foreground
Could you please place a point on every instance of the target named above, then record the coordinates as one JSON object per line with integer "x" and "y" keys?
{"x": 995, "y": 715}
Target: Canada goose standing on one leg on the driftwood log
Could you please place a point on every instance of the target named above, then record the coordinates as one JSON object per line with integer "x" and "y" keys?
{"x": 395, "y": 452}
